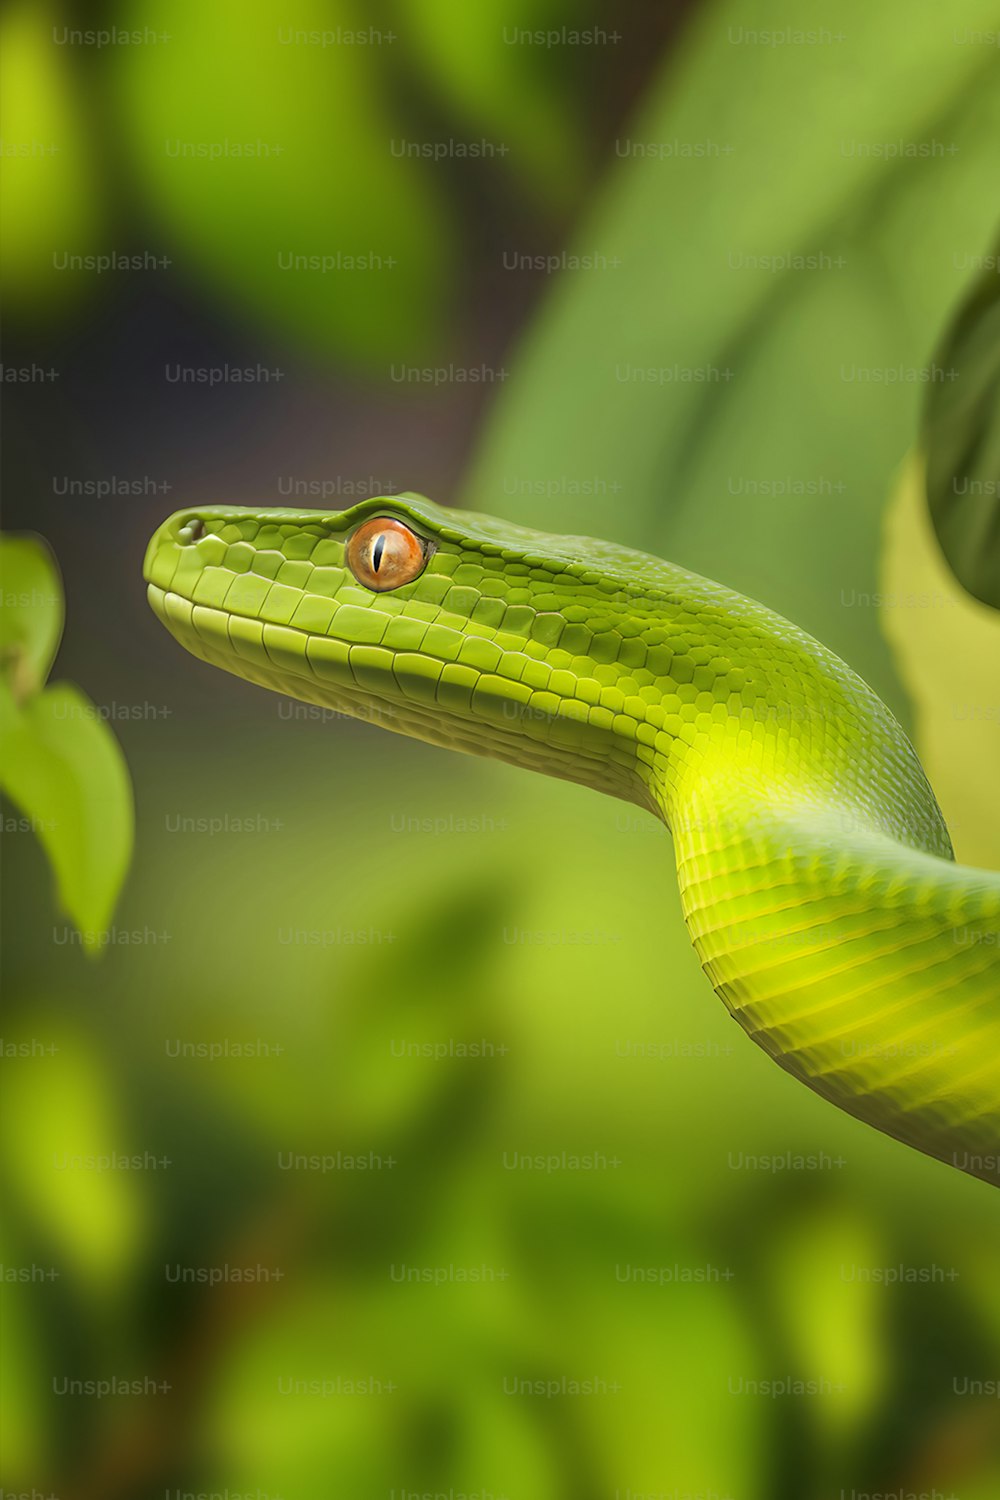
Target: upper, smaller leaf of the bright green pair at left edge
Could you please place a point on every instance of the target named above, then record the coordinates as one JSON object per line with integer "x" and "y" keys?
{"x": 31, "y": 613}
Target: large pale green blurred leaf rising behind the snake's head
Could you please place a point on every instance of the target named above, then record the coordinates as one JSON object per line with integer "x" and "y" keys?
{"x": 714, "y": 398}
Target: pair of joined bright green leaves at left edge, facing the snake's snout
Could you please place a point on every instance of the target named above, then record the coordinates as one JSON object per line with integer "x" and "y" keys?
{"x": 59, "y": 764}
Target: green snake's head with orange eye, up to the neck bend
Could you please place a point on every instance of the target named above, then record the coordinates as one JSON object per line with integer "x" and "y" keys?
{"x": 449, "y": 626}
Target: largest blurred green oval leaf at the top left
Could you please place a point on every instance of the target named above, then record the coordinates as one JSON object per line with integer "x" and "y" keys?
{"x": 262, "y": 137}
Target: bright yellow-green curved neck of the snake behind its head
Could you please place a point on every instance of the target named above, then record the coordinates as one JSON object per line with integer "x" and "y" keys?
{"x": 821, "y": 893}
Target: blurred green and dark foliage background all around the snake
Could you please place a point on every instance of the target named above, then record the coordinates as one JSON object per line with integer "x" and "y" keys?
{"x": 448, "y": 1175}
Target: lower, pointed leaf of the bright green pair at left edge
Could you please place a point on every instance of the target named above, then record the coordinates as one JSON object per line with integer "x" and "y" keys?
{"x": 65, "y": 770}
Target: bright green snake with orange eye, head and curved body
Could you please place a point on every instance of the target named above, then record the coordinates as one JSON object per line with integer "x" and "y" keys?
{"x": 816, "y": 874}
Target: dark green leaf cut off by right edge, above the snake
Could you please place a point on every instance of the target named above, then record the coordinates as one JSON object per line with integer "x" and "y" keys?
{"x": 962, "y": 434}
